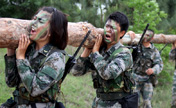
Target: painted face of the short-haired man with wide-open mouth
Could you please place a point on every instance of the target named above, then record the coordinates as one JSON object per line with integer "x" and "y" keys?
{"x": 110, "y": 31}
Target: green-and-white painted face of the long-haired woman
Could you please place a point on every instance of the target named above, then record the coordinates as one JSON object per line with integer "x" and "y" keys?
{"x": 39, "y": 25}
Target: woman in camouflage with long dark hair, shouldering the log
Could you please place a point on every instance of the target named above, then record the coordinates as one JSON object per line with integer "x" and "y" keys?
{"x": 38, "y": 65}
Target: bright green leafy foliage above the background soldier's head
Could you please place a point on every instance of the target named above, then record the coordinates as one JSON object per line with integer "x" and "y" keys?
{"x": 143, "y": 12}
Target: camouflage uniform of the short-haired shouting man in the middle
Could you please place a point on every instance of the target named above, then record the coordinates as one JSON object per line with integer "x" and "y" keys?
{"x": 107, "y": 70}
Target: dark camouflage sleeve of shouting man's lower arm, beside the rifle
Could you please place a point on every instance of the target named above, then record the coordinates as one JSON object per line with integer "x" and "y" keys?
{"x": 82, "y": 66}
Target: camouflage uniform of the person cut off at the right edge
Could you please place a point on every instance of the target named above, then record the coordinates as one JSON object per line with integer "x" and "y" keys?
{"x": 172, "y": 57}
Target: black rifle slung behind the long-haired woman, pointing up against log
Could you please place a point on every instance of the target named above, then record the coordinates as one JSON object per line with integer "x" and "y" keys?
{"x": 71, "y": 61}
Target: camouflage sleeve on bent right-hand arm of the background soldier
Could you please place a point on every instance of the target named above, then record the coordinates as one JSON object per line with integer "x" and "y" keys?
{"x": 158, "y": 63}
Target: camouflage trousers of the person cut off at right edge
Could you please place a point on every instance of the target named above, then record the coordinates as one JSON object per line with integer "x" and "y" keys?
{"x": 173, "y": 103}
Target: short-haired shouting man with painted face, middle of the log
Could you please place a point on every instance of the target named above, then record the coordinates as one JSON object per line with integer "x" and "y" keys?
{"x": 110, "y": 63}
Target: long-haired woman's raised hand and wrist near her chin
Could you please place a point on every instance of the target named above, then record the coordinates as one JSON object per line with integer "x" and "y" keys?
{"x": 22, "y": 47}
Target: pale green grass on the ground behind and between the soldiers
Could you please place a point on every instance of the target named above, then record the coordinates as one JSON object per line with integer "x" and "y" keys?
{"x": 78, "y": 92}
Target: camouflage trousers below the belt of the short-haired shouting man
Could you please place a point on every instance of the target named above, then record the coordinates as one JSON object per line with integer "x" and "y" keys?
{"x": 98, "y": 103}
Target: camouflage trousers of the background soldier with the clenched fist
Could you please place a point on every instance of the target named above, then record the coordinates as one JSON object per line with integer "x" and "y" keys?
{"x": 144, "y": 89}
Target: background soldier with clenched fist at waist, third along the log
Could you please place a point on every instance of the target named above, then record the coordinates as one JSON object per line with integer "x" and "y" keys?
{"x": 147, "y": 65}
